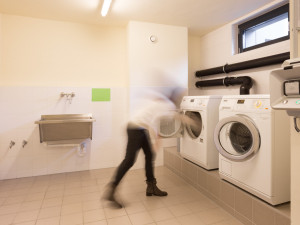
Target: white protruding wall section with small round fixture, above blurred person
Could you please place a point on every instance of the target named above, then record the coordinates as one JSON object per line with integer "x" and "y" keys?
{"x": 156, "y": 65}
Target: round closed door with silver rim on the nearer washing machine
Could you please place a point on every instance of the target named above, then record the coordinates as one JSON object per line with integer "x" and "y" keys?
{"x": 237, "y": 138}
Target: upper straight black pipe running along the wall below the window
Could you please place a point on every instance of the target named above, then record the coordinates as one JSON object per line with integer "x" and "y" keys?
{"x": 265, "y": 61}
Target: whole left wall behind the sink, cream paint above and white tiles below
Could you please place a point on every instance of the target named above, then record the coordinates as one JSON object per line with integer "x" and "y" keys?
{"x": 41, "y": 59}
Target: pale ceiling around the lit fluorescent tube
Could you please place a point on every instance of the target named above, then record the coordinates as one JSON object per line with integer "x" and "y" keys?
{"x": 200, "y": 16}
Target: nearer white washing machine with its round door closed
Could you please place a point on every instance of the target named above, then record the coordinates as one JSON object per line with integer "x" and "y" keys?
{"x": 254, "y": 146}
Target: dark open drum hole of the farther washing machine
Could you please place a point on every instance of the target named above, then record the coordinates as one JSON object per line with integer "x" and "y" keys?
{"x": 194, "y": 128}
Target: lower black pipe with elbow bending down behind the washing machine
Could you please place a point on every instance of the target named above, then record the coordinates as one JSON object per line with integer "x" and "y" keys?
{"x": 245, "y": 81}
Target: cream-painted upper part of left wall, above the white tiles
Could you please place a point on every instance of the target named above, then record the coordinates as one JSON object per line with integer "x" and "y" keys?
{"x": 39, "y": 52}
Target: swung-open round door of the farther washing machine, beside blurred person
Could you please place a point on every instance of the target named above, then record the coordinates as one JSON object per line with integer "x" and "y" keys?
{"x": 169, "y": 125}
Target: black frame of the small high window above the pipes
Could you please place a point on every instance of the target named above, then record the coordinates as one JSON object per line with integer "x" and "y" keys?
{"x": 258, "y": 20}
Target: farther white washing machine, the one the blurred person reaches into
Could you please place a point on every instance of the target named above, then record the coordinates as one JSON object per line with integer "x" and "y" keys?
{"x": 196, "y": 142}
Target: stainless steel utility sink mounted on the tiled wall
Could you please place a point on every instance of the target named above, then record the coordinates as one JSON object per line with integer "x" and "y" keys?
{"x": 65, "y": 127}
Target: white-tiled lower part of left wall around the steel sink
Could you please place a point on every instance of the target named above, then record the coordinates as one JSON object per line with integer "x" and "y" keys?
{"x": 22, "y": 106}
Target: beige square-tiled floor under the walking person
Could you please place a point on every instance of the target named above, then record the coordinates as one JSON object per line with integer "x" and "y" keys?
{"x": 75, "y": 199}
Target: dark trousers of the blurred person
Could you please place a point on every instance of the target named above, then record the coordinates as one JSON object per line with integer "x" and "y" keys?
{"x": 137, "y": 139}
